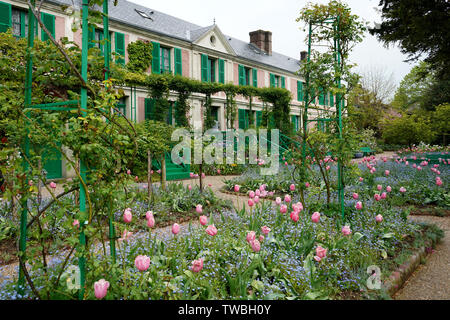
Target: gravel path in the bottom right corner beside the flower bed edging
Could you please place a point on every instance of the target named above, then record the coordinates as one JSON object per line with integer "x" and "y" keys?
{"x": 431, "y": 281}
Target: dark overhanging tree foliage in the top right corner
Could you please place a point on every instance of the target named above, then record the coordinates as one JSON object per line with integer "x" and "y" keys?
{"x": 419, "y": 28}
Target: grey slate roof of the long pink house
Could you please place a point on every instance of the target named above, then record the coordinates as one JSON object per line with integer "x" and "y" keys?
{"x": 164, "y": 24}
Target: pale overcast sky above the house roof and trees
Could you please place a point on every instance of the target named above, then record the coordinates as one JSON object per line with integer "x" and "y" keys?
{"x": 237, "y": 18}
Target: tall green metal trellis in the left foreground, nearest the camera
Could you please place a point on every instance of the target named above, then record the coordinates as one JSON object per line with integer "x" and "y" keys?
{"x": 63, "y": 106}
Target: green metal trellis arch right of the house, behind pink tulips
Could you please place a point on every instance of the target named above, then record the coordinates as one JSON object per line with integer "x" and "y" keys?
{"x": 338, "y": 106}
